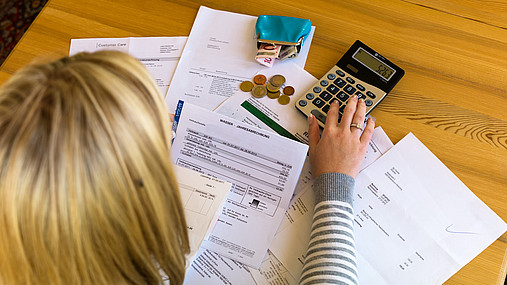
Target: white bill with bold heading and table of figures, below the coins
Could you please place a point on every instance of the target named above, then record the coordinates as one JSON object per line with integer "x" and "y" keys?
{"x": 263, "y": 177}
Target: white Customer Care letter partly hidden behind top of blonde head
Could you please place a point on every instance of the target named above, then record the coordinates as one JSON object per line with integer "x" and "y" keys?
{"x": 159, "y": 55}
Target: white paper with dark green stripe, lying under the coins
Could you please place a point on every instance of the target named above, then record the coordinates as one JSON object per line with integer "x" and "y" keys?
{"x": 266, "y": 112}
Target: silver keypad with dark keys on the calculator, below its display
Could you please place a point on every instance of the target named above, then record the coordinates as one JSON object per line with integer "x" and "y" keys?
{"x": 337, "y": 85}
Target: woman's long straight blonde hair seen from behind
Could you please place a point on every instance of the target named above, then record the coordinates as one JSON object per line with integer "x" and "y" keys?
{"x": 87, "y": 193}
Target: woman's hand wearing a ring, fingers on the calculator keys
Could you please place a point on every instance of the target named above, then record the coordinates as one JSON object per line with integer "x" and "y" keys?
{"x": 342, "y": 147}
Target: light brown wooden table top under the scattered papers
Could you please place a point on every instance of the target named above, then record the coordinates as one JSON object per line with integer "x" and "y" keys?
{"x": 453, "y": 96}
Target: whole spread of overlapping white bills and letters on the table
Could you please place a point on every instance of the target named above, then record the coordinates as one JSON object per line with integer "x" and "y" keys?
{"x": 416, "y": 222}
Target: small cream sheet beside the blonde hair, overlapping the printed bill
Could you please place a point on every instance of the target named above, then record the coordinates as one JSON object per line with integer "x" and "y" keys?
{"x": 202, "y": 196}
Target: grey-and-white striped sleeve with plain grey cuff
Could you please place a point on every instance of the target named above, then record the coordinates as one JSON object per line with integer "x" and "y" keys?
{"x": 330, "y": 257}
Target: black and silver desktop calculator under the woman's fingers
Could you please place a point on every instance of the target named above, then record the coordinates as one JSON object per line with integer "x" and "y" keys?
{"x": 362, "y": 72}
